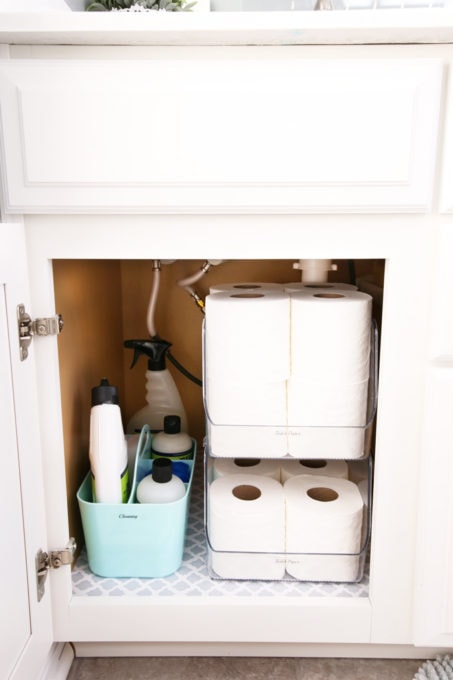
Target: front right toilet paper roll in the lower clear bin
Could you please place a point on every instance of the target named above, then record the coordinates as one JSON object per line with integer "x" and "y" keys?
{"x": 323, "y": 528}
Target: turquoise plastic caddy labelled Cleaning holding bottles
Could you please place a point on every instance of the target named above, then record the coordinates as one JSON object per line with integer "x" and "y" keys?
{"x": 134, "y": 539}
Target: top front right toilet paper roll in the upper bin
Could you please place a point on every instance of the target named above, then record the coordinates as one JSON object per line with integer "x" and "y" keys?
{"x": 330, "y": 336}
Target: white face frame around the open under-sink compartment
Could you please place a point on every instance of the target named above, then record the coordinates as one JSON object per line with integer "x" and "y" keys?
{"x": 382, "y": 612}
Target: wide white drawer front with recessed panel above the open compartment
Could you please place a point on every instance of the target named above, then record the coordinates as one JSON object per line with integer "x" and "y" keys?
{"x": 210, "y": 130}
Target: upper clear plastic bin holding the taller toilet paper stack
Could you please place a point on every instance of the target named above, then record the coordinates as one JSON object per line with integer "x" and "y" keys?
{"x": 276, "y": 440}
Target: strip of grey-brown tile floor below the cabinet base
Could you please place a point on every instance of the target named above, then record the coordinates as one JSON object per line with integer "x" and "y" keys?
{"x": 241, "y": 668}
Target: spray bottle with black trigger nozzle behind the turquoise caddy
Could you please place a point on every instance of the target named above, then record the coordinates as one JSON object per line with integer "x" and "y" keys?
{"x": 162, "y": 395}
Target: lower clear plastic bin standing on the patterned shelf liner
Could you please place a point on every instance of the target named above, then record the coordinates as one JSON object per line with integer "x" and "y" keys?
{"x": 335, "y": 567}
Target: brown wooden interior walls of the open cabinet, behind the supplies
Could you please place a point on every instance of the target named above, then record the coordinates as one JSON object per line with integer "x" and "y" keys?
{"x": 105, "y": 302}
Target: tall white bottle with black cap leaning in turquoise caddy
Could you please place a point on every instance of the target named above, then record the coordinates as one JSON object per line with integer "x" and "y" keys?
{"x": 108, "y": 448}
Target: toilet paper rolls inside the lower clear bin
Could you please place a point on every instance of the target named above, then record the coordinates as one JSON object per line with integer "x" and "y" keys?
{"x": 309, "y": 526}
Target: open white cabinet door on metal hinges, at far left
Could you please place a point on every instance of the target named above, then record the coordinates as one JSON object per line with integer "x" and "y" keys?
{"x": 25, "y": 628}
